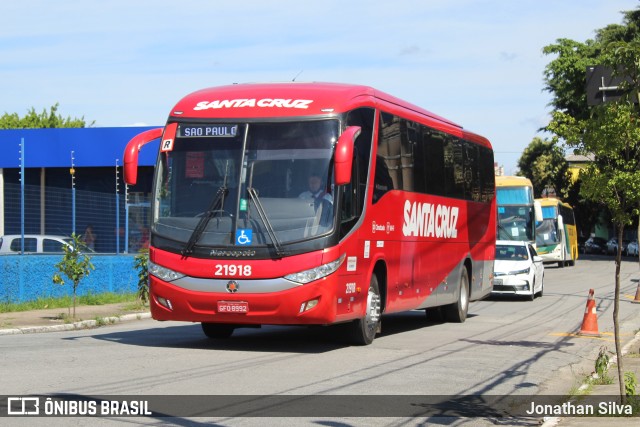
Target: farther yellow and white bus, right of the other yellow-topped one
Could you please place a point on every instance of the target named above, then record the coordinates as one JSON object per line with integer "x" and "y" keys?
{"x": 556, "y": 234}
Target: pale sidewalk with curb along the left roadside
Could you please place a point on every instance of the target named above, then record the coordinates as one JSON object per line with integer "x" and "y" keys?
{"x": 57, "y": 319}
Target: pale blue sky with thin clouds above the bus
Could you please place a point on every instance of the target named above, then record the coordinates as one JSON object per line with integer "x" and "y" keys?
{"x": 120, "y": 63}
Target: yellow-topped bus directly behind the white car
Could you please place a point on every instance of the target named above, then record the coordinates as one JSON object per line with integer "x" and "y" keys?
{"x": 516, "y": 209}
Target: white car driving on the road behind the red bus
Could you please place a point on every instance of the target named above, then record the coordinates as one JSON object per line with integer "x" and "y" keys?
{"x": 518, "y": 270}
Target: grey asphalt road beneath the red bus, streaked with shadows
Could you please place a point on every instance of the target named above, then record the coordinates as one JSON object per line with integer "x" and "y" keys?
{"x": 507, "y": 346}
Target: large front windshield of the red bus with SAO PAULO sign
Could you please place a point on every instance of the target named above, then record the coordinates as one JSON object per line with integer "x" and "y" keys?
{"x": 246, "y": 184}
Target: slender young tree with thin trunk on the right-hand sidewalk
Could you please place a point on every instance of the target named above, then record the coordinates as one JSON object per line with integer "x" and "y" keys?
{"x": 611, "y": 133}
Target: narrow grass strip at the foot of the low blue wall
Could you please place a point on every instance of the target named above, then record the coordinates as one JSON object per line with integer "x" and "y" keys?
{"x": 67, "y": 301}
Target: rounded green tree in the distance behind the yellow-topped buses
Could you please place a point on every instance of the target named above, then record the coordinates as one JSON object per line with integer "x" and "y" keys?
{"x": 544, "y": 164}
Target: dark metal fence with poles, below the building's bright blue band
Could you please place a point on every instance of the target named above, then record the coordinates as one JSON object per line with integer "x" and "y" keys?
{"x": 120, "y": 222}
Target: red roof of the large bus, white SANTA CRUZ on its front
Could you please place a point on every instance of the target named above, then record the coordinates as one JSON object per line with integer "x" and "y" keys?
{"x": 294, "y": 99}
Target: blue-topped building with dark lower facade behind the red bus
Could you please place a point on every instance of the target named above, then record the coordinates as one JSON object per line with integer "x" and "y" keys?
{"x": 47, "y": 156}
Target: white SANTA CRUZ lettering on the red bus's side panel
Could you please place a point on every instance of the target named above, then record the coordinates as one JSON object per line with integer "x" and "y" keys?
{"x": 429, "y": 220}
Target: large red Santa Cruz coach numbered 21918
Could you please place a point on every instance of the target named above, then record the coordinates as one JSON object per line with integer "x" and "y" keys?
{"x": 404, "y": 216}
